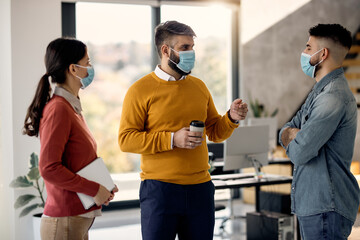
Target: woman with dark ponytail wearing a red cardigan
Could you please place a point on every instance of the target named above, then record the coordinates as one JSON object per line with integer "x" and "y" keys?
{"x": 66, "y": 142}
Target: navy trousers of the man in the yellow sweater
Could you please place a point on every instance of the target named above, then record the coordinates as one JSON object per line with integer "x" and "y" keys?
{"x": 168, "y": 209}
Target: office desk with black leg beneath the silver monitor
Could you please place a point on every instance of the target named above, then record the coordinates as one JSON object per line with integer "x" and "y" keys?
{"x": 241, "y": 180}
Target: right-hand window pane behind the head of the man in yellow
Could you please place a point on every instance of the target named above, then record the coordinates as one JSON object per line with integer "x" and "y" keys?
{"x": 212, "y": 46}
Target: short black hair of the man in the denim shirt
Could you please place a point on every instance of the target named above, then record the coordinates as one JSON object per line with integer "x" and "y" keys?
{"x": 335, "y": 32}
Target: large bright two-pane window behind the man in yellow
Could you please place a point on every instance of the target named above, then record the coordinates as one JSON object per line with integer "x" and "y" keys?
{"x": 119, "y": 41}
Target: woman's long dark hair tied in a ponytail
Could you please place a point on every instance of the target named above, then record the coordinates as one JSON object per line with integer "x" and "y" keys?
{"x": 60, "y": 53}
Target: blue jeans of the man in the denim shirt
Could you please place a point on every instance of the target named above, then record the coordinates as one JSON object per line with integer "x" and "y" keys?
{"x": 328, "y": 225}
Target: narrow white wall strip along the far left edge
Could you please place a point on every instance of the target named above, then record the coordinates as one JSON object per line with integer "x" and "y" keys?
{"x": 6, "y": 165}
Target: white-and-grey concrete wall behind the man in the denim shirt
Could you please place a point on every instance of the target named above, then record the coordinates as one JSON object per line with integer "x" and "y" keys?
{"x": 271, "y": 69}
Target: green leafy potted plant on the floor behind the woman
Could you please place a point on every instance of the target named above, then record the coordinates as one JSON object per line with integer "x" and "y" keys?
{"x": 32, "y": 179}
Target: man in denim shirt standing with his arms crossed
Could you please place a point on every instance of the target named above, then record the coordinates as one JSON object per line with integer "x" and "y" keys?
{"x": 320, "y": 140}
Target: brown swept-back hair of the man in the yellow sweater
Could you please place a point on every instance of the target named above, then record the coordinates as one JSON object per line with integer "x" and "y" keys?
{"x": 165, "y": 31}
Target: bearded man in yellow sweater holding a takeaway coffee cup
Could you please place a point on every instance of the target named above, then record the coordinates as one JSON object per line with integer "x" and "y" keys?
{"x": 176, "y": 192}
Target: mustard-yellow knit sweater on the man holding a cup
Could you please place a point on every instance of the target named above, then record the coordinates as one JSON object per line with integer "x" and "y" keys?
{"x": 152, "y": 110}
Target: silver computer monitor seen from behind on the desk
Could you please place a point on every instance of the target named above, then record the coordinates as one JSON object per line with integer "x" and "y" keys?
{"x": 248, "y": 146}
